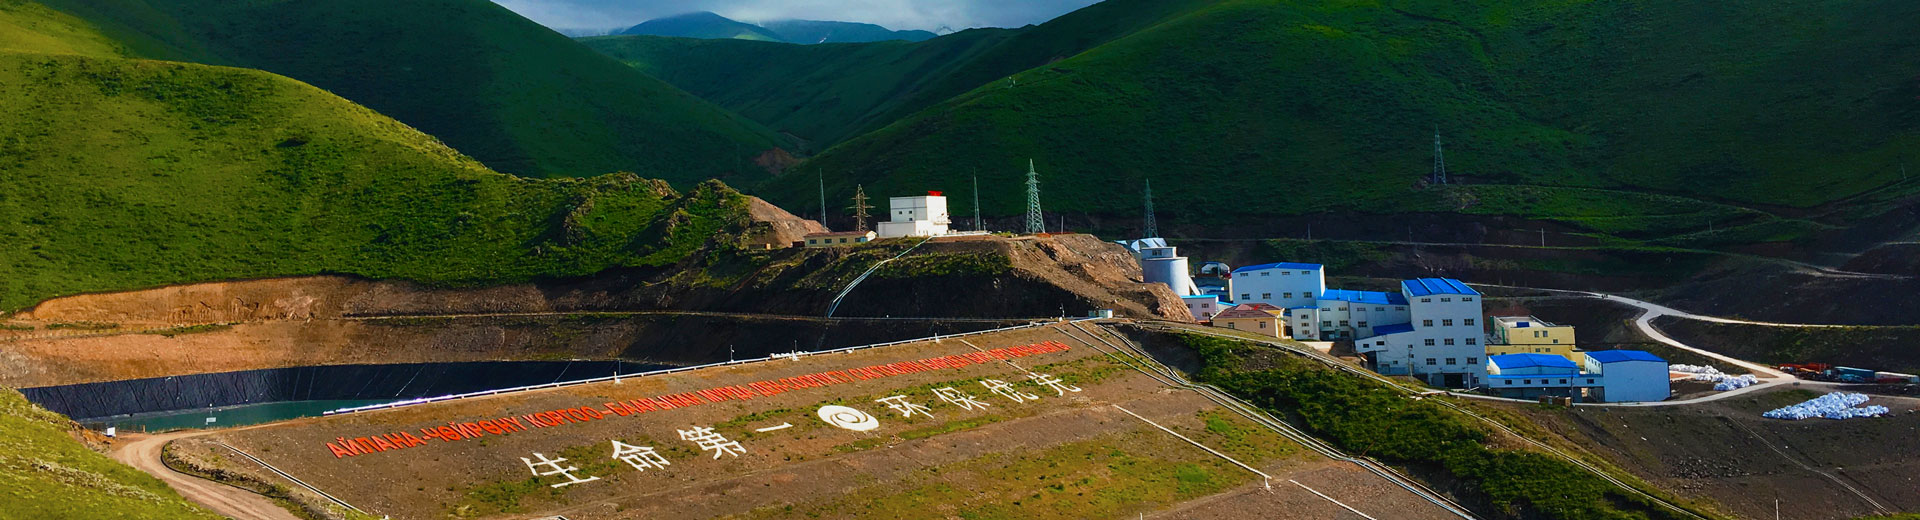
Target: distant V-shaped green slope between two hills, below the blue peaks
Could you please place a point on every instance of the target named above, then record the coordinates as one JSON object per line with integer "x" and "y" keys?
{"x": 832, "y": 93}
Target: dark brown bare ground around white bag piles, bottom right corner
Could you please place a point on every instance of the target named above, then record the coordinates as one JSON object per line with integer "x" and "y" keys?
{"x": 1725, "y": 452}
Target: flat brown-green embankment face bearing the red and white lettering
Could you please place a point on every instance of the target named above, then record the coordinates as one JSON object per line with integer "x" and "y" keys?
{"x": 1059, "y": 456}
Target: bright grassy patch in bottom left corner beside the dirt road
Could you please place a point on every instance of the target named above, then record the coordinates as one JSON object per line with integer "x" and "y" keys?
{"x": 45, "y": 473}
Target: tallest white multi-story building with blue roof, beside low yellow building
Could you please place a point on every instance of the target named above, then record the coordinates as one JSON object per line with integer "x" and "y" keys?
{"x": 1441, "y": 341}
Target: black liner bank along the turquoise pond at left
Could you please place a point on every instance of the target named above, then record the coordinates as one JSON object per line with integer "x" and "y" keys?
{"x": 410, "y": 381}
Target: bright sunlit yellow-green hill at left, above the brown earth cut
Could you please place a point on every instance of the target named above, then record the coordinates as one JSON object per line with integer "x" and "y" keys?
{"x": 124, "y": 174}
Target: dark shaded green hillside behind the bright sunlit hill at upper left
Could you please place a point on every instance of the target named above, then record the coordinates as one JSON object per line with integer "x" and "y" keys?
{"x": 494, "y": 85}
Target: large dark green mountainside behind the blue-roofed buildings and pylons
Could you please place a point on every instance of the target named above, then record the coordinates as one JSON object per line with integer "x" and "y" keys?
{"x": 1282, "y": 108}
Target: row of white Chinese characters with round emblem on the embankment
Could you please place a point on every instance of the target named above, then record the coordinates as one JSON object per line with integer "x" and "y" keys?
{"x": 644, "y": 458}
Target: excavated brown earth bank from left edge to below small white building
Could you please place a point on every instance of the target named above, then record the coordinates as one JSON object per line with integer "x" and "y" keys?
{"x": 337, "y": 321}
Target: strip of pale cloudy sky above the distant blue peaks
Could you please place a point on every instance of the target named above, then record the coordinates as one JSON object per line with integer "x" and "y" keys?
{"x": 894, "y": 14}
